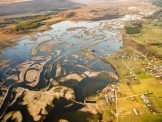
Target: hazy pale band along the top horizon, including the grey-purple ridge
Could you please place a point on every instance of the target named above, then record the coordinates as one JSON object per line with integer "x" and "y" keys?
{"x": 12, "y": 7}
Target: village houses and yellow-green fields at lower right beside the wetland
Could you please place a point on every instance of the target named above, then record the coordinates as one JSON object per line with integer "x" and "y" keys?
{"x": 137, "y": 92}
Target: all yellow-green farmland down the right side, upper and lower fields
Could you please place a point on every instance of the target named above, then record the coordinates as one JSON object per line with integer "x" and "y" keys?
{"x": 145, "y": 83}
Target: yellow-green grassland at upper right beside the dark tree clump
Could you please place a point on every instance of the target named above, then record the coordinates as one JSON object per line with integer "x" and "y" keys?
{"x": 150, "y": 37}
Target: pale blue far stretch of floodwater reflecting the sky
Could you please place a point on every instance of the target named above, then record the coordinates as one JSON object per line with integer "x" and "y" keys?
{"x": 65, "y": 37}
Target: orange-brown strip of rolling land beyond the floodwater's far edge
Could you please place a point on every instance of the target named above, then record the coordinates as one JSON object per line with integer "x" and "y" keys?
{"x": 75, "y": 14}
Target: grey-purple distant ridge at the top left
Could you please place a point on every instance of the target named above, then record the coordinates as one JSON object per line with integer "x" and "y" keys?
{"x": 29, "y": 6}
